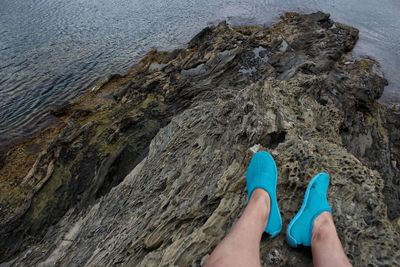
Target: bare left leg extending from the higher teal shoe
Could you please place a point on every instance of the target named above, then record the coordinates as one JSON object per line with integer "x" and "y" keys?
{"x": 241, "y": 247}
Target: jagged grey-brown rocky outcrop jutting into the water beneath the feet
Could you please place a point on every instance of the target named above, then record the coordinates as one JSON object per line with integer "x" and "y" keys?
{"x": 148, "y": 168}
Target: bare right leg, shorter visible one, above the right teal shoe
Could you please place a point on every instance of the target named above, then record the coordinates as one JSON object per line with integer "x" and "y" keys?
{"x": 325, "y": 243}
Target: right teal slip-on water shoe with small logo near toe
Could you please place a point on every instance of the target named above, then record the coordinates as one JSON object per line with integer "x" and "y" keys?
{"x": 299, "y": 231}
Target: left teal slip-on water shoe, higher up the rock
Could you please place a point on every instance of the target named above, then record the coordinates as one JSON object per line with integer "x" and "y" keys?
{"x": 262, "y": 173}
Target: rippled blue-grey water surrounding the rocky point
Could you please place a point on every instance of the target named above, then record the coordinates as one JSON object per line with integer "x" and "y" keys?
{"x": 51, "y": 50}
